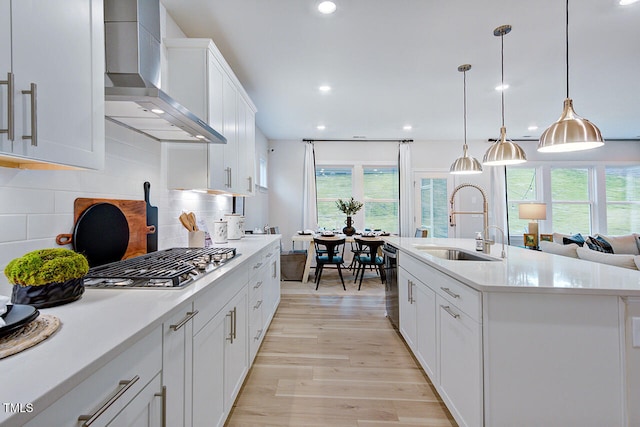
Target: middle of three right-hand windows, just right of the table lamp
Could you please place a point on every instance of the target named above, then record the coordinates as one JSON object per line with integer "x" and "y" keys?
{"x": 570, "y": 200}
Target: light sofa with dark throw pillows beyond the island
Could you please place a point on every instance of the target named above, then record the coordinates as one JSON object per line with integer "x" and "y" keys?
{"x": 621, "y": 251}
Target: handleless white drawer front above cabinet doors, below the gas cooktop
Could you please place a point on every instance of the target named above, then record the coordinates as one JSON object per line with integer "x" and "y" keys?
{"x": 216, "y": 296}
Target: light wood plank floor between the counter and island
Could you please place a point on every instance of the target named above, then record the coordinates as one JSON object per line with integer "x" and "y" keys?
{"x": 332, "y": 358}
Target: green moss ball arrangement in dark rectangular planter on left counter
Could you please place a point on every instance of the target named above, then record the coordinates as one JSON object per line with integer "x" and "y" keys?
{"x": 47, "y": 277}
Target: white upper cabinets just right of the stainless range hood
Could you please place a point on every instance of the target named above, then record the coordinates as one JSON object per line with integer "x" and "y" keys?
{"x": 200, "y": 79}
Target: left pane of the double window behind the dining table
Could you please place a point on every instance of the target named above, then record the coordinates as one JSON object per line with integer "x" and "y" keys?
{"x": 332, "y": 183}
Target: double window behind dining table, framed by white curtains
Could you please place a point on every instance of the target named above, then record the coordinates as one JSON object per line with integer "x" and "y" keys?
{"x": 375, "y": 186}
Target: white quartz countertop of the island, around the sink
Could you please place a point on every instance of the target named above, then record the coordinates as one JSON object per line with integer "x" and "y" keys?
{"x": 524, "y": 270}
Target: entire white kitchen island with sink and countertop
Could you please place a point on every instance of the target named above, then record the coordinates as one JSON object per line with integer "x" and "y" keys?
{"x": 532, "y": 339}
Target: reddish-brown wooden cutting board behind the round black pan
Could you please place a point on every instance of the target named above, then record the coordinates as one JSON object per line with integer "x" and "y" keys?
{"x": 136, "y": 213}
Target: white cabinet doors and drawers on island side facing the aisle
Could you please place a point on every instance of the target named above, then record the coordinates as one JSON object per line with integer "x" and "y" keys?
{"x": 440, "y": 319}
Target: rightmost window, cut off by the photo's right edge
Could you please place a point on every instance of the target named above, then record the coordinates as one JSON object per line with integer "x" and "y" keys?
{"x": 623, "y": 199}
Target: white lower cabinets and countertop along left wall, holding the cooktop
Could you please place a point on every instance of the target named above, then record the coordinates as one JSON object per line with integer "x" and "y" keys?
{"x": 167, "y": 348}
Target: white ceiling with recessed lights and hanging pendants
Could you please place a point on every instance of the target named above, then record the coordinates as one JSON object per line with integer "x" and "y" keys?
{"x": 394, "y": 62}
